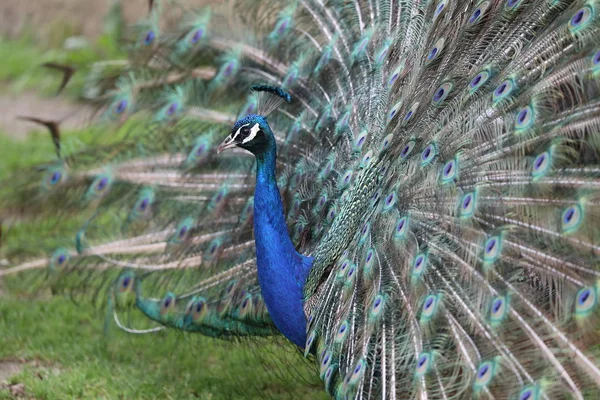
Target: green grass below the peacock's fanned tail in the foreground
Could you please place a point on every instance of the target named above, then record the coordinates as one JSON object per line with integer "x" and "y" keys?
{"x": 65, "y": 354}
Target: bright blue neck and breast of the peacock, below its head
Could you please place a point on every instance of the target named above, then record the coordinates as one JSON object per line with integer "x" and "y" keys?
{"x": 282, "y": 271}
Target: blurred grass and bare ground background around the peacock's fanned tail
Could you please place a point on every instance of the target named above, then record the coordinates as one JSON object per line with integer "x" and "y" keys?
{"x": 55, "y": 347}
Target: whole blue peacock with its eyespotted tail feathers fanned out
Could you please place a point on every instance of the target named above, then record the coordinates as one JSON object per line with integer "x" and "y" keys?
{"x": 408, "y": 191}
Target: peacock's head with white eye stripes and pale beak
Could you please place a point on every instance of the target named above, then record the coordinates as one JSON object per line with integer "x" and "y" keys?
{"x": 251, "y": 133}
